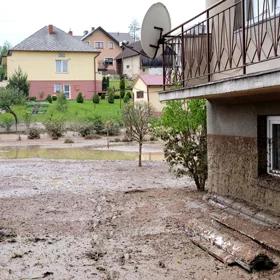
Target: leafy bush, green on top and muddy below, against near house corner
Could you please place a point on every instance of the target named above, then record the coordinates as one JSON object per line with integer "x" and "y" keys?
{"x": 184, "y": 132}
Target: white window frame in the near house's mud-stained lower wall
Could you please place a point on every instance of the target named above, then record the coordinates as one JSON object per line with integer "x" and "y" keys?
{"x": 270, "y": 122}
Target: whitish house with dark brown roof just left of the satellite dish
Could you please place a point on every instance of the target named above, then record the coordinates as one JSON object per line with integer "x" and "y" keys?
{"x": 136, "y": 63}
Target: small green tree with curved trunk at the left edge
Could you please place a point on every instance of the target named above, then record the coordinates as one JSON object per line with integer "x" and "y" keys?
{"x": 8, "y": 98}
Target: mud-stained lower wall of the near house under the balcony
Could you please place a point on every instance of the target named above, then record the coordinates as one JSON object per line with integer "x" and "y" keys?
{"x": 233, "y": 153}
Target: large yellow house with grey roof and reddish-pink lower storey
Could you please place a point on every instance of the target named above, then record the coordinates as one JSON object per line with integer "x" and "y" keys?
{"x": 55, "y": 61}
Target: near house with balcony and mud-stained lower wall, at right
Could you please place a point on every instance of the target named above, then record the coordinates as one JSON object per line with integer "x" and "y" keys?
{"x": 231, "y": 59}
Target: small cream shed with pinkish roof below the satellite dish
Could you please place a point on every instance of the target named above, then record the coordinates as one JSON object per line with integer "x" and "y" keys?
{"x": 146, "y": 89}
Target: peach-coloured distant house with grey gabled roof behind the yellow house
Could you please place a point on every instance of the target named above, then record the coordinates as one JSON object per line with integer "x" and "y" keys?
{"x": 108, "y": 43}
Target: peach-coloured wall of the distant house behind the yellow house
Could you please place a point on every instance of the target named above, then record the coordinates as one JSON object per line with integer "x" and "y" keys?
{"x": 99, "y": 36}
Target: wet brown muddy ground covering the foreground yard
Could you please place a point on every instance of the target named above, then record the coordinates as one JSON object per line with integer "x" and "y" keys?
{"x": 102, "y": 220}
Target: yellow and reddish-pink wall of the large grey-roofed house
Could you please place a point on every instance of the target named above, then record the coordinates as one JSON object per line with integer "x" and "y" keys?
{"x": 41, "y": 70}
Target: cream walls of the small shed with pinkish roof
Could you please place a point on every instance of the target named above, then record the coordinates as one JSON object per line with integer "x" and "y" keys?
{"x": 151, "y": 95}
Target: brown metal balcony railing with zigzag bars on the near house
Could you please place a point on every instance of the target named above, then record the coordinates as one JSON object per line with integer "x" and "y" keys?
{"x": 228, "y": 39}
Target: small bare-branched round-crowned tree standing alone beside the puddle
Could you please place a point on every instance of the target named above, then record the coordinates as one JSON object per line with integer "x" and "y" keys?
{"x": 136, "y": 119}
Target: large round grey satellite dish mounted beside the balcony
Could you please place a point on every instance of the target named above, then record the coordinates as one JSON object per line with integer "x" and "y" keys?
{"x": 156, "y": 23}
